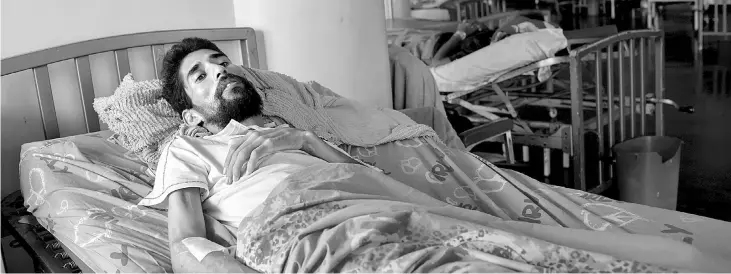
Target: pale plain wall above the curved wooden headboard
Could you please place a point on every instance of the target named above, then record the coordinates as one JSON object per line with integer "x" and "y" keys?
{"x": 30, "y": 25}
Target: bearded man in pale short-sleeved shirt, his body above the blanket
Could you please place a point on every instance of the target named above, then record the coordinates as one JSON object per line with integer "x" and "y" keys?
{"x": 204, "y": 86}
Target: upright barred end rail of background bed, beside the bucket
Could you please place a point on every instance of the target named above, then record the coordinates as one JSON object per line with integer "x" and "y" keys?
{"x": 624, "y": 84}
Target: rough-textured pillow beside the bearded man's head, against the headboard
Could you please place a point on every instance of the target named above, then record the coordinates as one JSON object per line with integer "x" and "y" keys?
{"x": 140, "y": 118}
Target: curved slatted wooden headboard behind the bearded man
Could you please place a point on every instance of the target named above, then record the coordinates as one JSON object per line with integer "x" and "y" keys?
{"x": 49, "y": 93}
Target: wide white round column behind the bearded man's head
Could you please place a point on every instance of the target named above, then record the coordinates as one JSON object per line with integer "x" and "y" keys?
{"x": 338, "y": 43}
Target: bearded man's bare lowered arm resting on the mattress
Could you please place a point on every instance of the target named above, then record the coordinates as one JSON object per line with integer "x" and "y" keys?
{"x": 185, "y": 220}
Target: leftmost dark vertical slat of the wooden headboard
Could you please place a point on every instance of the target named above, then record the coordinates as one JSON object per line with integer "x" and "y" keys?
{"x": 45, "y": 100}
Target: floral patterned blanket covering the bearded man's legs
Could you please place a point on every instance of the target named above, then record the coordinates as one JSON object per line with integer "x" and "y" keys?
{"x": 442, "y": 210}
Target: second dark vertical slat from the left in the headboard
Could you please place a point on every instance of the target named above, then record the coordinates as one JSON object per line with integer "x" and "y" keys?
{"x": 86, "y": 87}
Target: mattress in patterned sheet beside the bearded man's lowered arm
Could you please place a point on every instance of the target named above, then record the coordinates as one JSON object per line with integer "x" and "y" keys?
{"x": 84, "y": 189}
